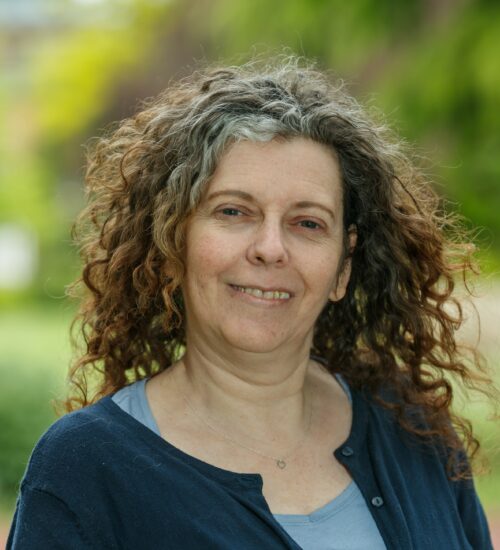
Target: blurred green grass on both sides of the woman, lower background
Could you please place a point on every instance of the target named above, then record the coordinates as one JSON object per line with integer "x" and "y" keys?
{"x": 35, "y": 352}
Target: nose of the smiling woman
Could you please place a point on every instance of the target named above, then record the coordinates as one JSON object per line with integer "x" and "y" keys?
{"x": 268, "y": 246}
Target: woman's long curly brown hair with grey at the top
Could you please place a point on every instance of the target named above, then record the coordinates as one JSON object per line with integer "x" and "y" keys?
{"x": 394, "y": 328}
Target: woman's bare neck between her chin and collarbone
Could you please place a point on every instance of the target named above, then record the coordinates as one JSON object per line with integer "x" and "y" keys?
{"x": 251, "y": 396}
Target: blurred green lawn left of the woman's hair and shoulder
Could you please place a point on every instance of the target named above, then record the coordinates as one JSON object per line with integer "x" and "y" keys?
{"x": 35, "y": 353}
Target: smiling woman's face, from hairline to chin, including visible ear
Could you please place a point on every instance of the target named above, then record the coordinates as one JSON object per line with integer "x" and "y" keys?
{"x": 264, "y": 246}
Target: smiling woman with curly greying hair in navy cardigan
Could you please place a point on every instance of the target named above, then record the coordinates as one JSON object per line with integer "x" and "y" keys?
{"x": 266, "y": 338}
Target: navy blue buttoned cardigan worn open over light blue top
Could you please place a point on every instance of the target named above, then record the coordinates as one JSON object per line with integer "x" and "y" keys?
{"x": 99, "y": 479}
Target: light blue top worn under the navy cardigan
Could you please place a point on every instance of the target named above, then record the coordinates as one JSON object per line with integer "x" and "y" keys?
{"x": 344, "y": 523}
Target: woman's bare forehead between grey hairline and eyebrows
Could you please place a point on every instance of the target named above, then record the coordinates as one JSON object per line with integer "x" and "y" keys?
{"x": 276, "y": 169}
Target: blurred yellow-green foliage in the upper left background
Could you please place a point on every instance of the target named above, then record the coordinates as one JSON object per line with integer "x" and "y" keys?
{"x": 60, "y": 88}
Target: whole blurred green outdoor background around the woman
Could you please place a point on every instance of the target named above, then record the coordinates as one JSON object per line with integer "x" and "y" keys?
{"x": 70, "y": 67}
